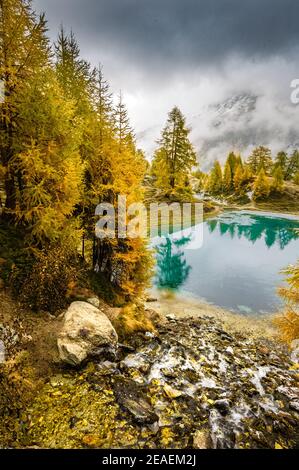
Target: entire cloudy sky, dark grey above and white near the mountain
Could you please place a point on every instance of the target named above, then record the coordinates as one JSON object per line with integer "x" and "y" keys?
{"x": 191, "y": 53}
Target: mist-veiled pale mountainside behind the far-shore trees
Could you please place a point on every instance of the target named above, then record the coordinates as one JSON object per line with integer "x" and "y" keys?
{"x": 240, "y": 123}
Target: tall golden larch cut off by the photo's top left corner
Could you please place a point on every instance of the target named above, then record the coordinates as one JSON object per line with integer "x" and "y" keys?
{"x": 24, "y": 51}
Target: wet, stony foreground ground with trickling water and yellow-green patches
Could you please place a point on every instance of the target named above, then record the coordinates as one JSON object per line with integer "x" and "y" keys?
{"x": 193, "y": 384}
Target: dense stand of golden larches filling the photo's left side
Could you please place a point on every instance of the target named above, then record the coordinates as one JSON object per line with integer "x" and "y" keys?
{"x": 65, "y": 148}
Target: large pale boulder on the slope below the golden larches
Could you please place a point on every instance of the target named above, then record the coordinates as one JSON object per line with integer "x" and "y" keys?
{"x": 86, "y": 332}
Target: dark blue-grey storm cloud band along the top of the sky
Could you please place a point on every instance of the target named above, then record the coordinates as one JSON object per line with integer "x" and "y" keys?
{"x": 172, "y": 32}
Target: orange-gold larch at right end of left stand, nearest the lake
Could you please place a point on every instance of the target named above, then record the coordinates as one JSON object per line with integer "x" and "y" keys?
{"x": 124, "y": 262}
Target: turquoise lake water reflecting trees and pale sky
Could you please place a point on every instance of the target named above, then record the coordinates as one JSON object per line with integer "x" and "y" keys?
{"x": 239, "y": 264}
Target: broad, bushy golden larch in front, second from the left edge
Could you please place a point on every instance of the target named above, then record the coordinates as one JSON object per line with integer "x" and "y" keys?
{"x": 48, "y": 160}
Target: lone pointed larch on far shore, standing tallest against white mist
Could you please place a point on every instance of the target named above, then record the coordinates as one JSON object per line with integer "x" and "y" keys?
{"x": 175, "y": 157}
